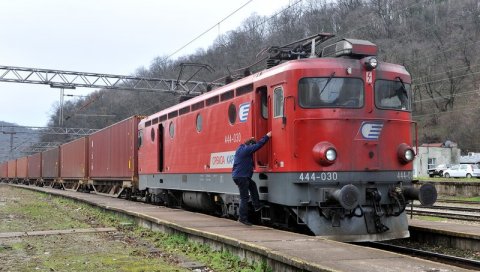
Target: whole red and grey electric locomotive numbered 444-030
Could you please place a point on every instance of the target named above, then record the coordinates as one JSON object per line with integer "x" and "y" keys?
{"x": 340, "y": 159}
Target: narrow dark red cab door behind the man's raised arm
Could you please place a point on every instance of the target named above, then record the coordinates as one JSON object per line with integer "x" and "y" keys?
{"x": 261, "y": 124}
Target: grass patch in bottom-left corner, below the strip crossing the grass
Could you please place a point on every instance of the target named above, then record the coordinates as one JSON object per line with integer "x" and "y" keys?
{"x": 84, "y": 253}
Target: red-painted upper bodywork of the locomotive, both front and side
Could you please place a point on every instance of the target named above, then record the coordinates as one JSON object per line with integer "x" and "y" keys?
{"x": 290, "y": 149}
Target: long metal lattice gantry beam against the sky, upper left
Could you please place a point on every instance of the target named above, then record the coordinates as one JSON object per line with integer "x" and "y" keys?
{"x": 71, "y": 79}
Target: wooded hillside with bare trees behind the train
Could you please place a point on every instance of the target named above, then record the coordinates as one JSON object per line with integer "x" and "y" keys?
{"x": 436, "y": 40}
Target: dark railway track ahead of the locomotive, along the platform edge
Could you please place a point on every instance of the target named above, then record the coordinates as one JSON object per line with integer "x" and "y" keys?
{"x": 433, "y": 256}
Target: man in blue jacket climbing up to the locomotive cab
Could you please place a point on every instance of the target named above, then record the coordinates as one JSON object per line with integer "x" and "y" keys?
{"x": 242, "y": 173}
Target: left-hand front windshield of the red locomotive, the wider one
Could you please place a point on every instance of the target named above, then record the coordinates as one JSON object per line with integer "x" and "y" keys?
{"x": 330, "y": 92}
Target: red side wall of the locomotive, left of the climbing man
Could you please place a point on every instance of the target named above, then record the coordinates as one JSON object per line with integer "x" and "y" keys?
{"x": 190, "y": 150}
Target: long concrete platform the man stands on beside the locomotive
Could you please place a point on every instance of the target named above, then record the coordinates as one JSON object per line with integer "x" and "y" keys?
{"x": 283, "y": 251}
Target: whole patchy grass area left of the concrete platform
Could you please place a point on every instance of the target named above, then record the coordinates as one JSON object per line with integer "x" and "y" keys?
{"x": 52, "y": 212}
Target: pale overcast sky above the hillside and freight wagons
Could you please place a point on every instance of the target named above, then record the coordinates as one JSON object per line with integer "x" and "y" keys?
{"x": 102, "y": 36}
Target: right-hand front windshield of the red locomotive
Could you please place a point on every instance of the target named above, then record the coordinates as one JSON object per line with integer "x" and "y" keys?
{"x": 393, "y": 95}
